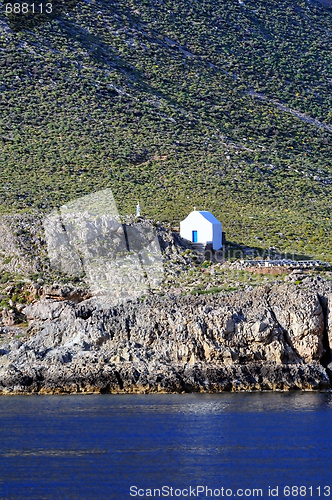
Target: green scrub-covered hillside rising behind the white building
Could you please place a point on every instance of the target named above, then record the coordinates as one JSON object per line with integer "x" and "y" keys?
{"x": 222, "y": 105}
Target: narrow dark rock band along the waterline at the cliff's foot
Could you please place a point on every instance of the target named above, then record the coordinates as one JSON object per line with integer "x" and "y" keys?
{"x": 212, "y": 380}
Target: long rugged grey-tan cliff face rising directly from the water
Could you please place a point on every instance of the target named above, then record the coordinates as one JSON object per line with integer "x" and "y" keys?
{"x": 271, "y": 338}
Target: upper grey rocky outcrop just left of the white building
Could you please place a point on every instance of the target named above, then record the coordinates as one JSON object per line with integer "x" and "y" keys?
{"x": 92, "y": 247}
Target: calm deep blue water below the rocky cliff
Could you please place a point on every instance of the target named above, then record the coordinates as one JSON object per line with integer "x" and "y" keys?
{"x": 96, "y": 447}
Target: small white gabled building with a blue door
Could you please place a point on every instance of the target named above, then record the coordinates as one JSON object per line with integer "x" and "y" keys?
{"x": 202, "y": 227}
